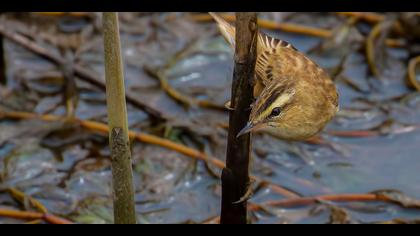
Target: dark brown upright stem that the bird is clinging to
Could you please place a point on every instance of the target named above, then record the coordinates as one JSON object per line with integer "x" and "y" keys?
{"x": 235, "y": 177}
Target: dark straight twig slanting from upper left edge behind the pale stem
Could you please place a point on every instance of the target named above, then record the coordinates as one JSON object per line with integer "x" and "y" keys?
{"x": 81, "y": 72}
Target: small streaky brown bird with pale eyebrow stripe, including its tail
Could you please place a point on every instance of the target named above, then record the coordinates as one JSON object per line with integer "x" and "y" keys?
{"x": 295, "y": 98}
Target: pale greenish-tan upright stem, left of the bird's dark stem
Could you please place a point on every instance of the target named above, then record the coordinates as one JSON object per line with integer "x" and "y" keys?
{"x": 122, "y": 173}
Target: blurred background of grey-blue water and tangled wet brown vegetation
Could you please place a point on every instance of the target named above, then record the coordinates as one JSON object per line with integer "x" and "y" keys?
{"x": 54, "y": 157}
